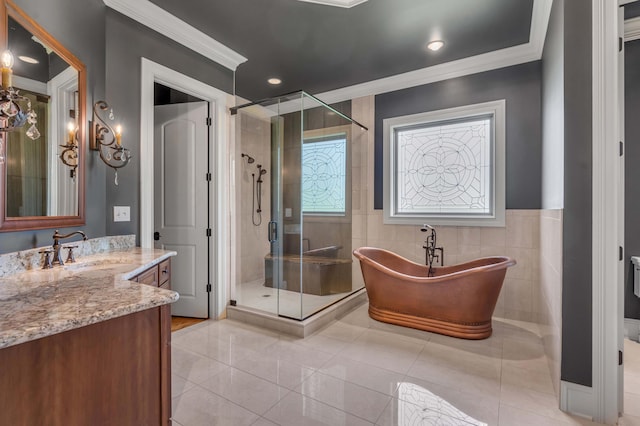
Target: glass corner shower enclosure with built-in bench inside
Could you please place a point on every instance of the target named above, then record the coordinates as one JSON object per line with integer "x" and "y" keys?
{"x": 309, "y": 265}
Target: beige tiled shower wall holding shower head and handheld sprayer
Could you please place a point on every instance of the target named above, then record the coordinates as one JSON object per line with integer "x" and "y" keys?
{"x": 254, "y": 137}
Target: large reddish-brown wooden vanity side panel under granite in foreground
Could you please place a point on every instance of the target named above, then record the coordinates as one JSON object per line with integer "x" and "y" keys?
{"x": 115, "y": 372}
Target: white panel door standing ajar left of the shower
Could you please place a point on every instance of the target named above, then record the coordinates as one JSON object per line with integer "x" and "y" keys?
{"x": 181, "y": 199}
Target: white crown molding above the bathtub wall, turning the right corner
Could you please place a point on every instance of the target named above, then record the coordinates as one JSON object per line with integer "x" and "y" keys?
{"x": 527, "y": 52}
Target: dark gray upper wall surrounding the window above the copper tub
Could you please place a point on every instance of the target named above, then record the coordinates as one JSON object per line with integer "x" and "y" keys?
{"x": 521, "y": 87}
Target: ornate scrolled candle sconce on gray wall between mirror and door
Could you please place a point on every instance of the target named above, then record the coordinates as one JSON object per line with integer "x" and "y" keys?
{"x": 107, "y": 142}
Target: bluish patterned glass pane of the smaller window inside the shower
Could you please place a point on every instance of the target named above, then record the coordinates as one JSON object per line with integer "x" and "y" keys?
{"x": 324, "y": 175}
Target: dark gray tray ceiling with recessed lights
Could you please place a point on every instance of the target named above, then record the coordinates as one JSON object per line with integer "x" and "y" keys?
{"x": 319, "y": 48}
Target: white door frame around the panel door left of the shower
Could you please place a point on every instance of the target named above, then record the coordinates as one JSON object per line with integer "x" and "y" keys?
{"x": 219, "y": 102}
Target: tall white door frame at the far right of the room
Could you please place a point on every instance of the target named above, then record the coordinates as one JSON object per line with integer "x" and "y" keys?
{"x": 607, "y": 206}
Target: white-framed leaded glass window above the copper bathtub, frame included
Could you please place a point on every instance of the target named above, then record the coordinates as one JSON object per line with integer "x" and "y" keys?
{"x": 446, "y": 167}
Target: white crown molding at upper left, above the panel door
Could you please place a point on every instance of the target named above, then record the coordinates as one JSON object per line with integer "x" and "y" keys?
{"x": 161, "y": 21}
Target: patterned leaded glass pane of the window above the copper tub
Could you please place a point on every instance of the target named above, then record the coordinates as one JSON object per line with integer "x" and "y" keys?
{"x": 445, "y": 167}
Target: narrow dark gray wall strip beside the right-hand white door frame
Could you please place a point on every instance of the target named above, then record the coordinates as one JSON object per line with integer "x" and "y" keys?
{"x": 576, "y": 291}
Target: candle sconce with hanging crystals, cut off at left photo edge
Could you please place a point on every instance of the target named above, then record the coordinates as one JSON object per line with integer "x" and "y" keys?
{"x": 12, "y": 115}
